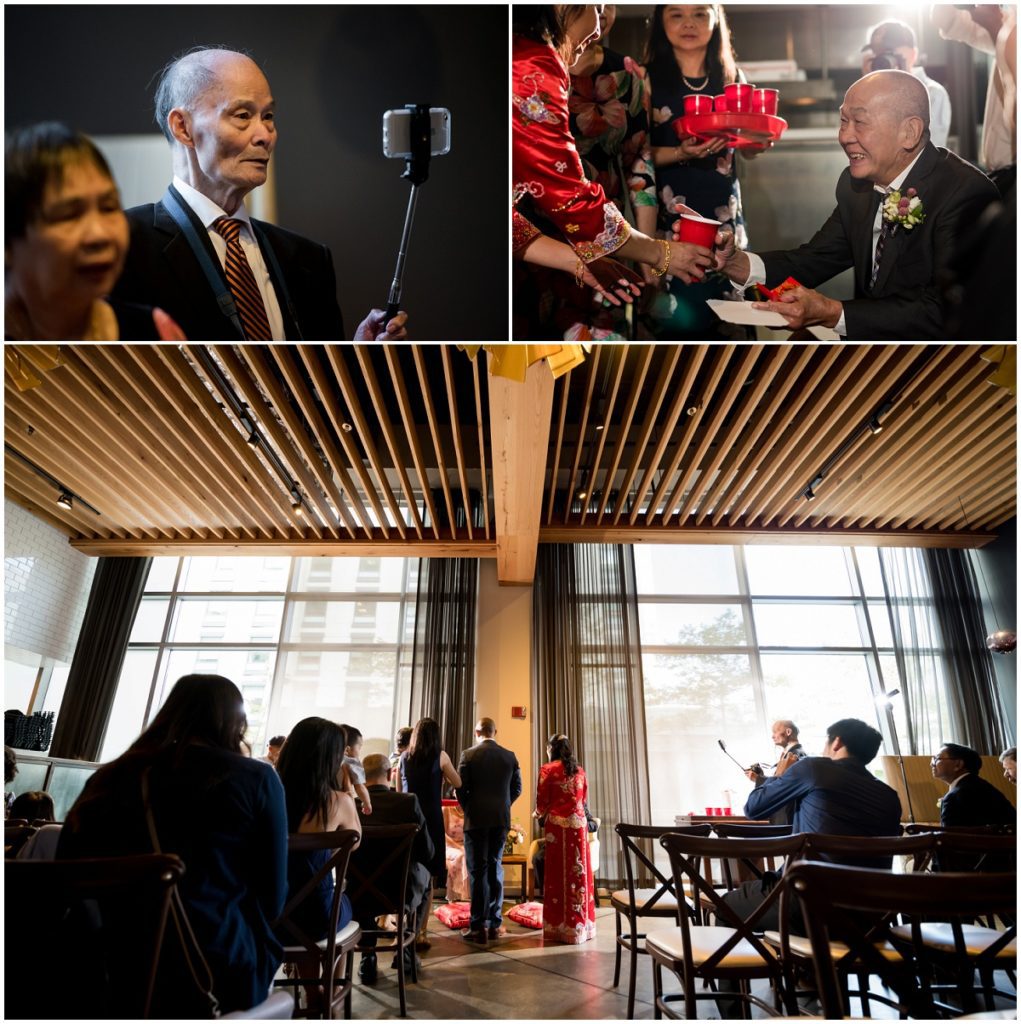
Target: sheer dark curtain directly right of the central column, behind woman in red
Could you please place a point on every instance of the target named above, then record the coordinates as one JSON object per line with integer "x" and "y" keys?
{"x": 587, "y": 674}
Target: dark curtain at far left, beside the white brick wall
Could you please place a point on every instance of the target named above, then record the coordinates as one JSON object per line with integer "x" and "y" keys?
{"x": 96, "y": 669}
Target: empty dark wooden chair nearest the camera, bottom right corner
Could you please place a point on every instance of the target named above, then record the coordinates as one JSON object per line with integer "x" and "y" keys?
{"x": 870, "y": 910}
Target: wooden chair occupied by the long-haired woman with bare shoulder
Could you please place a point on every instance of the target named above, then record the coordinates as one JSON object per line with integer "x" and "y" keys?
{"x": 321, "y": 966}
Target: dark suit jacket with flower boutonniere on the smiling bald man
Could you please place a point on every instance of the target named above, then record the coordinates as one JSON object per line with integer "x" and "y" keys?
{"x": 907, "y": 303}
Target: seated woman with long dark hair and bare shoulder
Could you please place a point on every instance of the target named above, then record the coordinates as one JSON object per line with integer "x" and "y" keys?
{"x": 311, "y": 766}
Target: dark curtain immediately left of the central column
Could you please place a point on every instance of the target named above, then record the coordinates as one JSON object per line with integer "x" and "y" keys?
{"x": 444, "y": 655}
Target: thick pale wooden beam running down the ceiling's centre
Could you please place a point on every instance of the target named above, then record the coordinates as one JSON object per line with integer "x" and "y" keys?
{"x": 520, "y": 426}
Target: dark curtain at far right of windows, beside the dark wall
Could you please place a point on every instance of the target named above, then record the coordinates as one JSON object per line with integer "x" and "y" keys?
{"x": 977, "y": 713}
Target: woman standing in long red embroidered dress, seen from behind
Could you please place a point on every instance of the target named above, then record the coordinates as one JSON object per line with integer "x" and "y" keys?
{"x": 569, "y": 889}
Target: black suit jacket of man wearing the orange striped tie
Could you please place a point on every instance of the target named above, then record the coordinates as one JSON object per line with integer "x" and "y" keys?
{"x": 162, "y": 271}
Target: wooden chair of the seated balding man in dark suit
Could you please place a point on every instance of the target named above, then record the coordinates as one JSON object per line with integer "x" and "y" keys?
{"x": 378, "y": 886}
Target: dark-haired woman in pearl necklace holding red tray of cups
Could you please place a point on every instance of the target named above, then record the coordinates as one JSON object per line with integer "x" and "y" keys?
{"x": 690, "y": 54}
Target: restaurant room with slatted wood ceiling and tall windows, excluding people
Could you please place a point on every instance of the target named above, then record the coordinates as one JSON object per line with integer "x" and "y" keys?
{"x": 658, "y": 550}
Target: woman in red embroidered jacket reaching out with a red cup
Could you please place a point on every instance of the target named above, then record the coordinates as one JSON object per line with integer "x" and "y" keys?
{"x": 551, "y": 190}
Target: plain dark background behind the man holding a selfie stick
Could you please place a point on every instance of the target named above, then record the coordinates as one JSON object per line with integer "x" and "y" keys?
{"x": 333, "y": 72}
